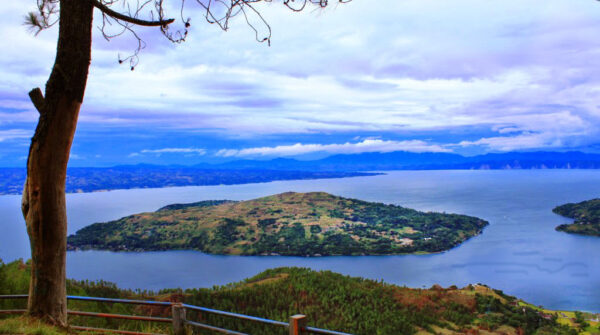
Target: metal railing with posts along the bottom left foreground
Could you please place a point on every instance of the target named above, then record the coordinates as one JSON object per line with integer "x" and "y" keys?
{"x": 297, "y": 324}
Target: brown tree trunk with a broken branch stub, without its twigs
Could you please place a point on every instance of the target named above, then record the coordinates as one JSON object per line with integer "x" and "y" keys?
{"x": 43, "y": 204}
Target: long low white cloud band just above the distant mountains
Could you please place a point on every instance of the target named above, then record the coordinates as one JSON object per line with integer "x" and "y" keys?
{"x": 369, "y": 145}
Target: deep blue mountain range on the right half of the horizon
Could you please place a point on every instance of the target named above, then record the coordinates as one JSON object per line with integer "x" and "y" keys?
{"x": 401, "y": 160}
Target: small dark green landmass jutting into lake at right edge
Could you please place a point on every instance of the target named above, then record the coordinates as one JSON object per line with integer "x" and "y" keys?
{"x": 586, "y": 215}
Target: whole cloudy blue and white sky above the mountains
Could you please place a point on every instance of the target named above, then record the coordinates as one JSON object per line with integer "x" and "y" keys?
{"x": 463, "y": 76}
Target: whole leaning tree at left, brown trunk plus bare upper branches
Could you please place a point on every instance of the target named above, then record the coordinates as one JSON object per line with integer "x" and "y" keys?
{"x": 43, "y": 203}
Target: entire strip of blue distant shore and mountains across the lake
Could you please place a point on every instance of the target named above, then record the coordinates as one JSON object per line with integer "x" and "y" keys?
{"x": 89, "y": 179}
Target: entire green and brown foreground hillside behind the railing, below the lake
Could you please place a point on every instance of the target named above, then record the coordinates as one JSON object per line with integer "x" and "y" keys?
{"x": 329, "y": 300}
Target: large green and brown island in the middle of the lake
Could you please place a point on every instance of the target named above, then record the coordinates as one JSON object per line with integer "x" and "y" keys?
{"x": 298, "y": 224}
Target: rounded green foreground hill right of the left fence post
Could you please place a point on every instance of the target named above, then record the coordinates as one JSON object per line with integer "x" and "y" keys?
{"x": 362, "y": 306}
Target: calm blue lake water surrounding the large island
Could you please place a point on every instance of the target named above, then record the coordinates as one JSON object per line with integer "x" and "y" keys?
{"x": 519, "y": 252}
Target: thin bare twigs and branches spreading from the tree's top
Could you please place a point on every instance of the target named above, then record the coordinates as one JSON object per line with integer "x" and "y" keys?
{"x": 218, "y": 12}
